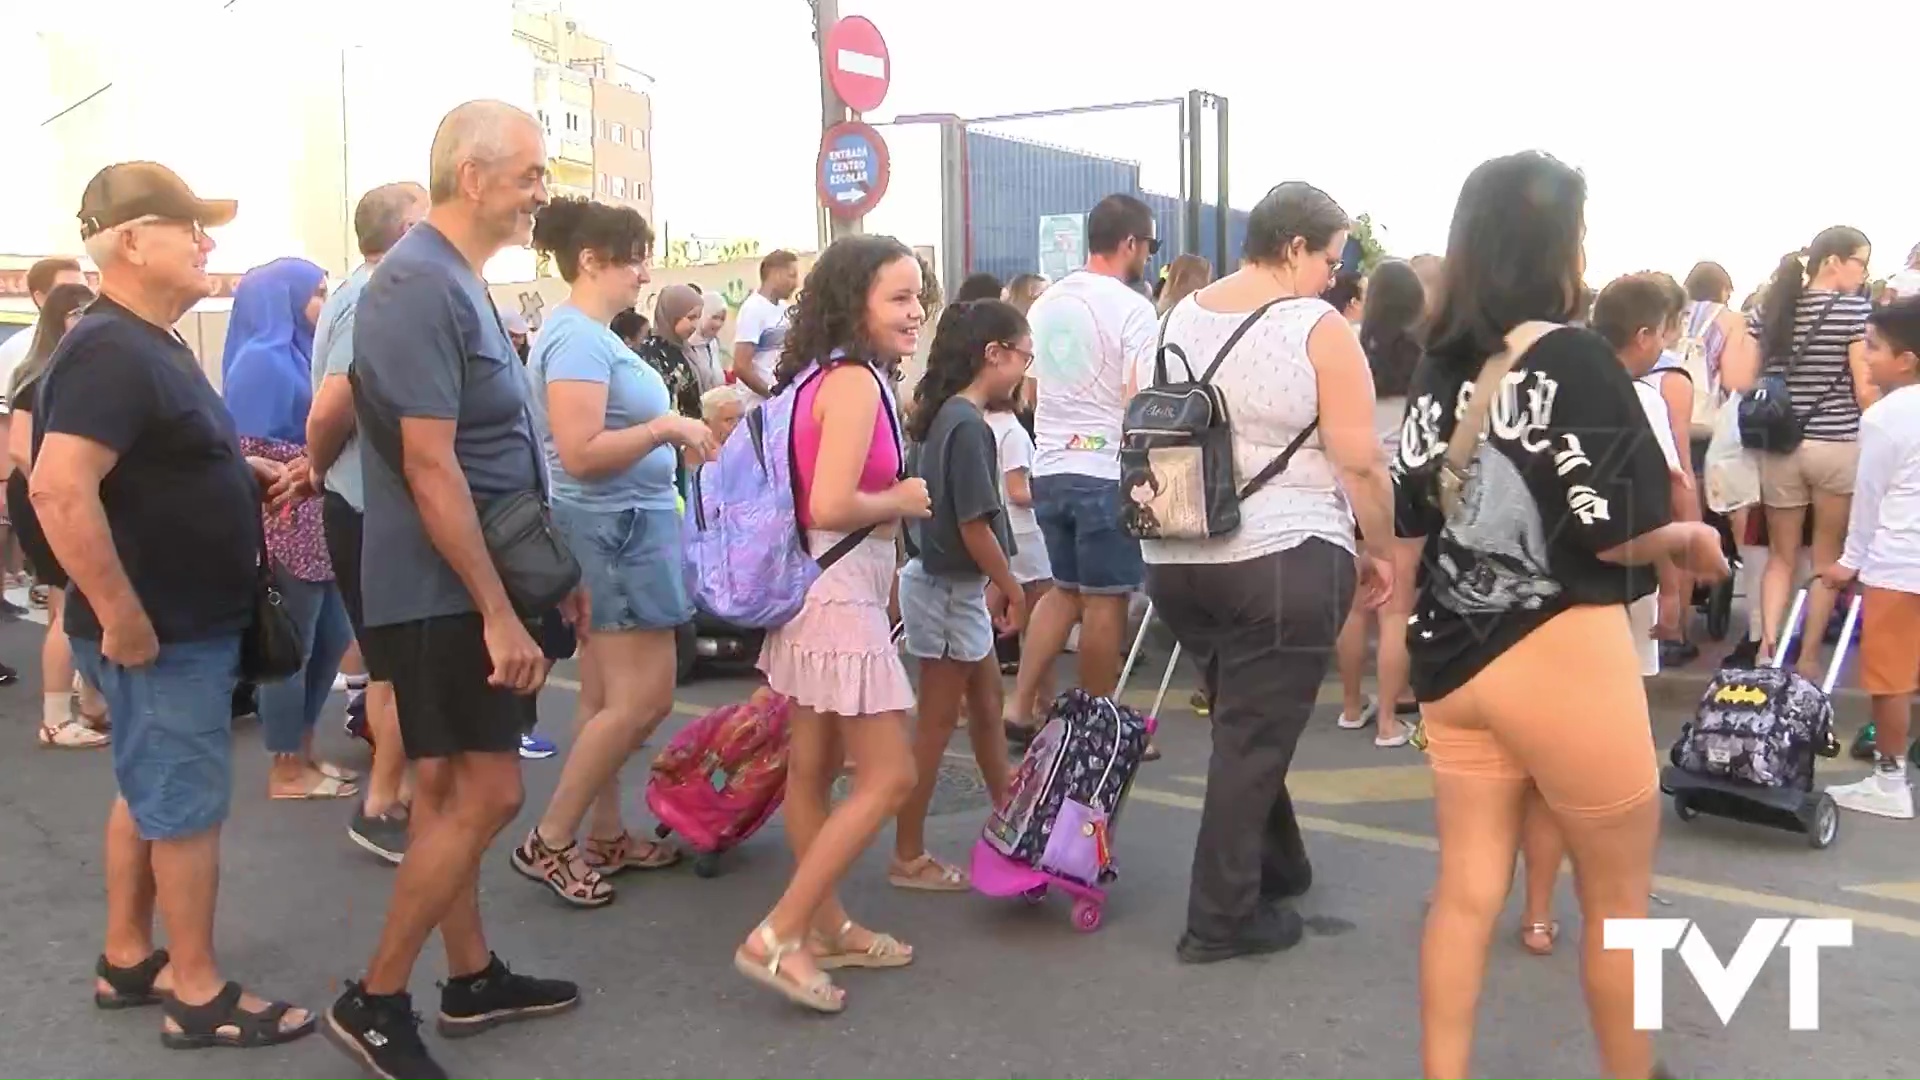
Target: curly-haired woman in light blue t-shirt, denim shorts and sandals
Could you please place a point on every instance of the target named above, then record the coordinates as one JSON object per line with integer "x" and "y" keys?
{"x": 612, "y": 433}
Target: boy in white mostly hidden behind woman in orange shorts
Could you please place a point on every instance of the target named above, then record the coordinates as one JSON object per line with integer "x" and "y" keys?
{"x": 1639, "y": 316}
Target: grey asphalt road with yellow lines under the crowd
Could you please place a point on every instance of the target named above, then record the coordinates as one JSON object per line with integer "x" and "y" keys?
{"x": 1001, "y": 991}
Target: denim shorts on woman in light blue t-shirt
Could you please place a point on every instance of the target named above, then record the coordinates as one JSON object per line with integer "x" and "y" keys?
{"x": 633, "y": 566}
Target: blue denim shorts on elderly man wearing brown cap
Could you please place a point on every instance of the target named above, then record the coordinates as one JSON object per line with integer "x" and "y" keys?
{"x": 174, "y": 750}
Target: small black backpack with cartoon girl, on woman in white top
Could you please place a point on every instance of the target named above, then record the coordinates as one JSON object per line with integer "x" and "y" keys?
{"x": 1176, "y": 451}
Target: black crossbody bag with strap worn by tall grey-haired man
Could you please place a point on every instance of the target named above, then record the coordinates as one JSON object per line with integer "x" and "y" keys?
{"x": 535, "y": 566}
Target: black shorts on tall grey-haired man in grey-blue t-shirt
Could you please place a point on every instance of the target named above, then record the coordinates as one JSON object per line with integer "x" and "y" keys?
{"x": 441, "y": 672}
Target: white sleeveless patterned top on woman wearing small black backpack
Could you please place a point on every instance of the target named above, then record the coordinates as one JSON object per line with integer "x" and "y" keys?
{"x": 1274, "y": 395}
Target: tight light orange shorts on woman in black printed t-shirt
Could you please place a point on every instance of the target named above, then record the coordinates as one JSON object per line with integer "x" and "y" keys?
{"x": 1564, "y": 708}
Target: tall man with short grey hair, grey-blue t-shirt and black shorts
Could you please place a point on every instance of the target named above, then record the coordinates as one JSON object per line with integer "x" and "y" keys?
{"x": 443, "y": 412}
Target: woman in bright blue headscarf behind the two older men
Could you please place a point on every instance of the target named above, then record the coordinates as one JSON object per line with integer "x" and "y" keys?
{"x": 268, "y": 374}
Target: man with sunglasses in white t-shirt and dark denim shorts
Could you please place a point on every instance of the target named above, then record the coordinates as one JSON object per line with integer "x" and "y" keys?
{"x": 1088, "y": 333}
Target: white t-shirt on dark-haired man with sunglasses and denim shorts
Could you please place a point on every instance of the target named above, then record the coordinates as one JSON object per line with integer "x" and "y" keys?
{"x": 1088, "y": 333}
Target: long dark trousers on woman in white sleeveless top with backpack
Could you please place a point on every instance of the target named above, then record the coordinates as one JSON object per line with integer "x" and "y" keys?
{"x": 1262, "y": 635}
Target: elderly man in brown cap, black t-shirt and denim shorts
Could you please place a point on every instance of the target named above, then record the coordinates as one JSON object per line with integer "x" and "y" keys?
{"x": 153, "y": 510}
